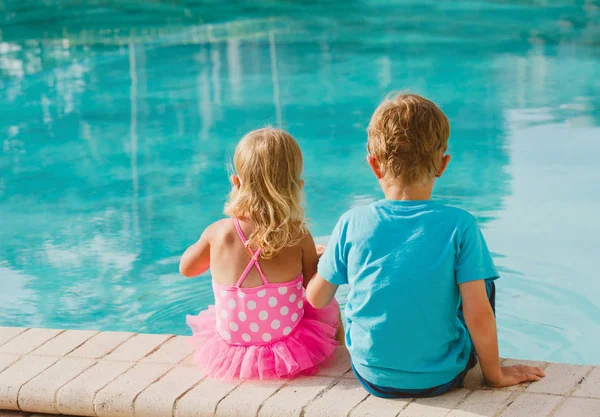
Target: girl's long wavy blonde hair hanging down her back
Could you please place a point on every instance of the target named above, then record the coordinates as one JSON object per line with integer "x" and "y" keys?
{"x": 269, "y": 164}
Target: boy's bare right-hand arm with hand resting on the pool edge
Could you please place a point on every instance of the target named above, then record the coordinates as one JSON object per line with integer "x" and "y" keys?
{"x": 481, "y": 324}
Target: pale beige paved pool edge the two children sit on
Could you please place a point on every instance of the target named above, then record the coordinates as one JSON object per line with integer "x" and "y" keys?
{"x": 116, "y": 374}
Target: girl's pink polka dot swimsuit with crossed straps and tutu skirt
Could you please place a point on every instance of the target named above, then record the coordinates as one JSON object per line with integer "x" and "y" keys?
{"x": 264, "y": 332}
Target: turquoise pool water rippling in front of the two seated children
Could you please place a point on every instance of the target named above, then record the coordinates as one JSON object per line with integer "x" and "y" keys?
{"x": 117, "y": 121}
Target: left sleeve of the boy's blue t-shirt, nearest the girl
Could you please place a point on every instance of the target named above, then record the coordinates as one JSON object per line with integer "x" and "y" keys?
{"x": 332, "y": 265}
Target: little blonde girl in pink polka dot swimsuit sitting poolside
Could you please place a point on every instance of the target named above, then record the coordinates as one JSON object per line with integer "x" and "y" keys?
{"x": 261, "y": 259}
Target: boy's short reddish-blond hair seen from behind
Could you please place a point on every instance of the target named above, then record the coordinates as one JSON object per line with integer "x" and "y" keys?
{"x": 406, "y": 135}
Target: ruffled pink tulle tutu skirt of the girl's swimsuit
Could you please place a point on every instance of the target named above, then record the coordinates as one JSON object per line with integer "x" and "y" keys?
{"x": 299, "y": 353}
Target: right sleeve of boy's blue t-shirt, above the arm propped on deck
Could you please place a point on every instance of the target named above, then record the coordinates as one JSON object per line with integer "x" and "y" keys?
{"x": 474, "y": 261}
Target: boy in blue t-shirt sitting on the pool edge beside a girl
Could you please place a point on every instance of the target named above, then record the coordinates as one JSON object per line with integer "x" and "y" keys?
{"x": 409, "y": 263}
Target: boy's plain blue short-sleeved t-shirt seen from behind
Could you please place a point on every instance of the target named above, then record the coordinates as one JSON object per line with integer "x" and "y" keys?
{"x": 403, "y": 261}
